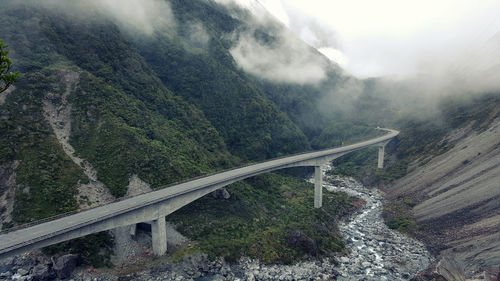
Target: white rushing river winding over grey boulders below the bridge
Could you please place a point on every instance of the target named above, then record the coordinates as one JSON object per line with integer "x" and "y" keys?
{"x": 375, "y": 251}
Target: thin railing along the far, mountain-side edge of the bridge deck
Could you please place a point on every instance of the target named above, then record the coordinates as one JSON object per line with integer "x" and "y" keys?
{"x": 58, "y": 216}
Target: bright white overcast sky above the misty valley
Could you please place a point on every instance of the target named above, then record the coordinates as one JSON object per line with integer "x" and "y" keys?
{"x": 391, "y": 37}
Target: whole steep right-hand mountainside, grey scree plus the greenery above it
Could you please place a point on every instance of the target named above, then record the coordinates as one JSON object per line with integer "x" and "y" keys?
{"x": 450, "y": 198}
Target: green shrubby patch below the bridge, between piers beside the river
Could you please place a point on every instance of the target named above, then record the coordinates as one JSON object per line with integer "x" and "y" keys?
{"x": 258, "y": 218}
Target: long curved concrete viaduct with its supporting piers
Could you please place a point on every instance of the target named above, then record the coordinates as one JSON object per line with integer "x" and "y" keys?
{"x": 154, "y": 206}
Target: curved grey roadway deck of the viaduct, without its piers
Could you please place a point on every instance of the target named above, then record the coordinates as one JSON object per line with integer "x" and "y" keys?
{"x": 16, "y": 240}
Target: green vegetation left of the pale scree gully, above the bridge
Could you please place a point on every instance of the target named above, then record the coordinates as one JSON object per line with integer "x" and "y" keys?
{"x": 46, "y": 176}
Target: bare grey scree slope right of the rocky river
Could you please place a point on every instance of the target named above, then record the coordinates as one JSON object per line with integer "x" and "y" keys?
{"x": 458, "y": 196}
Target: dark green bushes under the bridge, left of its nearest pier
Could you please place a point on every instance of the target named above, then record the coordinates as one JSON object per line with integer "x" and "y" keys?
{"x": 94, "y": 249}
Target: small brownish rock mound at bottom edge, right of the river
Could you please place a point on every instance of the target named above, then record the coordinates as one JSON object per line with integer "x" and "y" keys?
{"x": 445, "y": 269}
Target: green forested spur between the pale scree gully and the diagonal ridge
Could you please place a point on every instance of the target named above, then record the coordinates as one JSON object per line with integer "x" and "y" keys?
{"x": 126, "y": 121}
